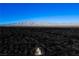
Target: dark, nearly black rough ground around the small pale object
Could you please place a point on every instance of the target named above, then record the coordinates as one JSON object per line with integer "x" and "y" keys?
{"x": 20, "y": 41}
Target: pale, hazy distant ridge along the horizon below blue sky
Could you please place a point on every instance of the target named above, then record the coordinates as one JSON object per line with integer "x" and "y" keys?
{"x": 31, "y": 23}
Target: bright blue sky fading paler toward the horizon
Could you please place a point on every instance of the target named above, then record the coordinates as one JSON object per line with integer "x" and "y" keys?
{"x": 44, "y": 12}
